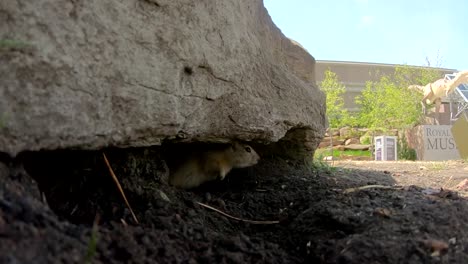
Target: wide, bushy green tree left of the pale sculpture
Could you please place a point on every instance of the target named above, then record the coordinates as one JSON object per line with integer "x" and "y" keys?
{"x": 389, "y": 104}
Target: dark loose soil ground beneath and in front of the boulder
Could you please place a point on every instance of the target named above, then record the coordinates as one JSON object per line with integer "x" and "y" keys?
{"x": 320, "y": 219}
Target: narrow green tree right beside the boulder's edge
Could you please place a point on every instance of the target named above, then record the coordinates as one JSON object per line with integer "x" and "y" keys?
{"x": 337, "y": 115}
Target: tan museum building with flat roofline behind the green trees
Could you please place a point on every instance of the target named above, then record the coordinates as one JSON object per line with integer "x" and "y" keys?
{"x": 354, "y": 76}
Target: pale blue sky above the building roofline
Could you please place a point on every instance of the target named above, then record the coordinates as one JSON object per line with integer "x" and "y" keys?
{"x": 397, "y": 32}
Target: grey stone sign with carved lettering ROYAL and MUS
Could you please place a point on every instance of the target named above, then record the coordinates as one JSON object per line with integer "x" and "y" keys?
{"x": 434, "y": 142}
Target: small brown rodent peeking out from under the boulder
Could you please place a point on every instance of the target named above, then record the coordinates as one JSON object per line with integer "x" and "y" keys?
{"x": 211, "y": 165}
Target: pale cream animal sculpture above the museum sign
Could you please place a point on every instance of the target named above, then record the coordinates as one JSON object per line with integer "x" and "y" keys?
{"x": 433, "y": 92}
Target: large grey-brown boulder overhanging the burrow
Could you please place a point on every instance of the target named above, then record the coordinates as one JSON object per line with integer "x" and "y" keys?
{"x": 89, "y": 74}
